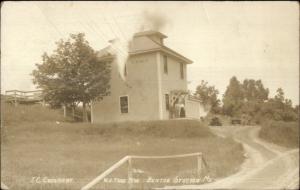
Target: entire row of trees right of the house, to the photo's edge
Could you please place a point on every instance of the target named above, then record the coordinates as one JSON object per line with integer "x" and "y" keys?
{"x": 248, "y": 99}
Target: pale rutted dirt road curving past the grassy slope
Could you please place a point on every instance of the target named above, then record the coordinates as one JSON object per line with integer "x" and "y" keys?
{"x": 267, "y": 166}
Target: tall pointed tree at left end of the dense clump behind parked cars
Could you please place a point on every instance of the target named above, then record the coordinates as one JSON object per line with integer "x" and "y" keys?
{"x": 233, "y": 98}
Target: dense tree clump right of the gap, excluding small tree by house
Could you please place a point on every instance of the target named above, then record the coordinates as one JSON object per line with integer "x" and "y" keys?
{"x": 251, "y": 99}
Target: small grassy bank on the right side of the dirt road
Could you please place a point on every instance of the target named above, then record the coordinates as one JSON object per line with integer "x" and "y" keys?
{"x": 282, "y": 133}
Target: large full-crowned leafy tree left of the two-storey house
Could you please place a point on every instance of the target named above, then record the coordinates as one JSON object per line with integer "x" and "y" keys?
{"x": 72, "y": 74}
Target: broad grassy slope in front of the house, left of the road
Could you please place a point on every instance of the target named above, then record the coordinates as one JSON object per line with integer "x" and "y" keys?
{"x": 34, "y": 145}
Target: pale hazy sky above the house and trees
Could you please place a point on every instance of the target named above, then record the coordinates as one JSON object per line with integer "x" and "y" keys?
{"x": 257, "y": 40}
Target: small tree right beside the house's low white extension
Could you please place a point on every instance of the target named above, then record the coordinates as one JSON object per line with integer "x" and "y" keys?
{"x": 208, "y": 95}
